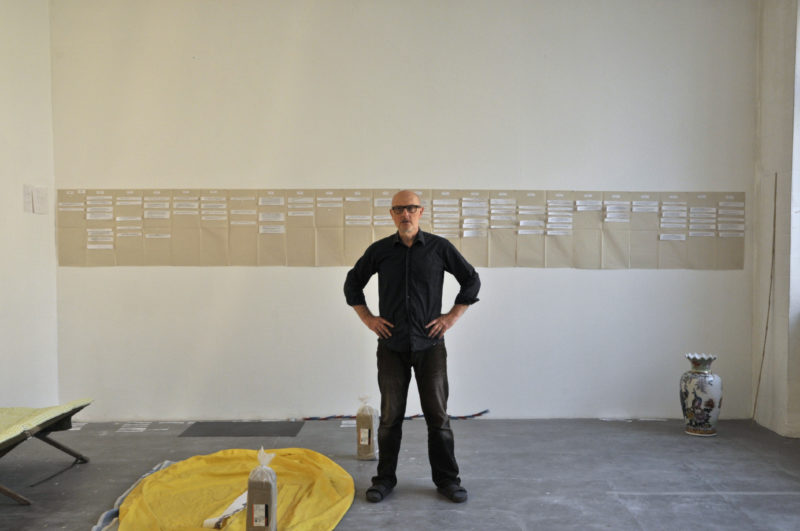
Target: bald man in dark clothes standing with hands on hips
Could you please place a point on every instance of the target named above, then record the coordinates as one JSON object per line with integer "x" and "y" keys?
{"x": 410, "y": 327}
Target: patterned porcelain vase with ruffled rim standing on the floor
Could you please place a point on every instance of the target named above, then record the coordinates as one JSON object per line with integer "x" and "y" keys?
{"x": 701, "y": 396}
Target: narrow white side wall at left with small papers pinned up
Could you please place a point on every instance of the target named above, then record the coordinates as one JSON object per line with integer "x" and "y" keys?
{"x": 28, "y": 376}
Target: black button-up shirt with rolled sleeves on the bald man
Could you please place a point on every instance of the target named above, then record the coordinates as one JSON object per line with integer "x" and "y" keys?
{"x": 410, "y": 281}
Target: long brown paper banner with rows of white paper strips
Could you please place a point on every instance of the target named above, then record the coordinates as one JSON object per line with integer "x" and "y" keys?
{"x": 333, "y": 227}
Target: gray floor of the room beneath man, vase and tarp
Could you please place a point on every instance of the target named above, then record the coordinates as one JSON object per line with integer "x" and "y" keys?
{"x": 537, "y": 474}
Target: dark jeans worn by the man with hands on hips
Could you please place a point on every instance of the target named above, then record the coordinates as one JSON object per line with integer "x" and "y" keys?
{"x": 394, "y": 376}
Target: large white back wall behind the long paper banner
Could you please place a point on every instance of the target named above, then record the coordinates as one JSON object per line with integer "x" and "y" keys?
{"x": 626, "y": 95}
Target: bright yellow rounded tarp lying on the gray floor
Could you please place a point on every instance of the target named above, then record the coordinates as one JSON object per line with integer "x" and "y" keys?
{"x": 314, "y": 493}
